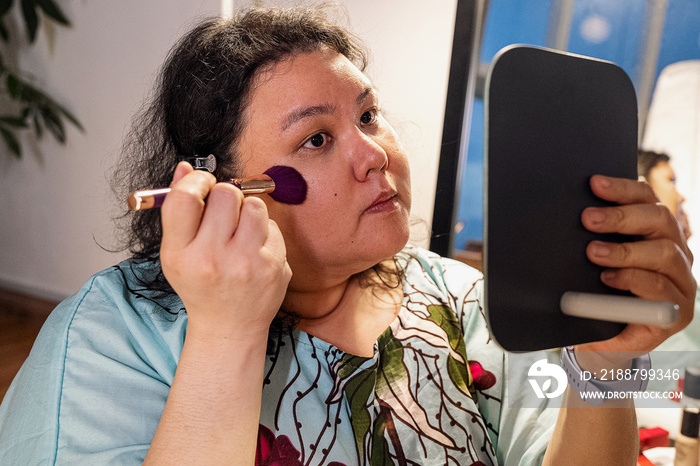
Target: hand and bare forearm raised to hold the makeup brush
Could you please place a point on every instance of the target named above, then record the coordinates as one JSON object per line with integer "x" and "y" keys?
{"x": 227, "y": 261}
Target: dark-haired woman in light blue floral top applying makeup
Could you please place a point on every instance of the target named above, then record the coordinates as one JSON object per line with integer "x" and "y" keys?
{"x": 389, "y": 361}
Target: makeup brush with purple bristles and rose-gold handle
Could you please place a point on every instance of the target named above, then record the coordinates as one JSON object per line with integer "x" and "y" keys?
{"x": 283, "y": 184}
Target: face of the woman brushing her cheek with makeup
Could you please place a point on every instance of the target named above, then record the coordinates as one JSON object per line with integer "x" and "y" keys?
{"x": 316, "y": 112}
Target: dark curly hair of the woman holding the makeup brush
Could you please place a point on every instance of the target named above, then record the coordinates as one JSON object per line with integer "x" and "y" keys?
{"x": 198, "y": 106}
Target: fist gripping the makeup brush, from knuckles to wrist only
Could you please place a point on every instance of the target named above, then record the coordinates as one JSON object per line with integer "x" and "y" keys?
{"x": 224, "y": 257}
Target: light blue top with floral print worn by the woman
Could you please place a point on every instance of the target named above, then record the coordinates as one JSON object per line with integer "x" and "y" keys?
{"x": 435, "y": 392}
